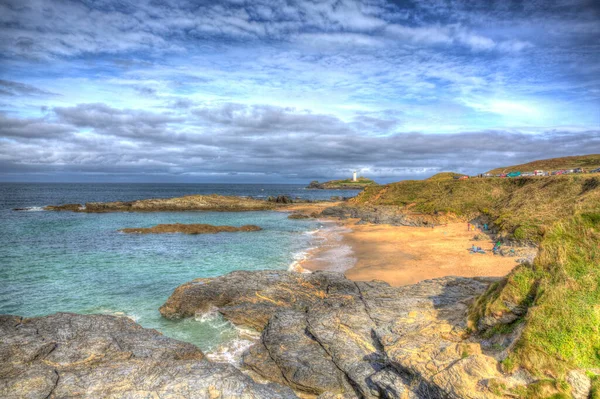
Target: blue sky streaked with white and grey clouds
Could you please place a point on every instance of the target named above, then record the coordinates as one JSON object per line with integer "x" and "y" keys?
{"x": 276, "y": 91}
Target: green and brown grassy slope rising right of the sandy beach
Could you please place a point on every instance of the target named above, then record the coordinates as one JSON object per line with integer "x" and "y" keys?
{"x": 560, "y": 214}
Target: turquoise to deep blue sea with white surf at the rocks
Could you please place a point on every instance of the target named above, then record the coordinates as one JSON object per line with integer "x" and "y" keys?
{"x": 78, "y": 262}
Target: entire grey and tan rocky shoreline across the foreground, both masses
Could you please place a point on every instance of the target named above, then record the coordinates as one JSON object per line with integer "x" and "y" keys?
{"x": 321, "y": 335}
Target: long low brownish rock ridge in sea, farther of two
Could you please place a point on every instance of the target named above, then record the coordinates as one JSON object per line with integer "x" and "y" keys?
{"x": 187, "y": 203}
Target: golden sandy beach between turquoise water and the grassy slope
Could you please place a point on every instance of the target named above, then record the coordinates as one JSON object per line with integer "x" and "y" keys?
{"x": 402, "y": 255}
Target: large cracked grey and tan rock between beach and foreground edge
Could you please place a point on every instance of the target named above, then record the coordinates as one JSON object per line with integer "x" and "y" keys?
{"x": 326, "y": 335}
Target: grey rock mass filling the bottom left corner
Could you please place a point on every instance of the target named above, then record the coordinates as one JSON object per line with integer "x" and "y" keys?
{"x": 101, "y": 356}
